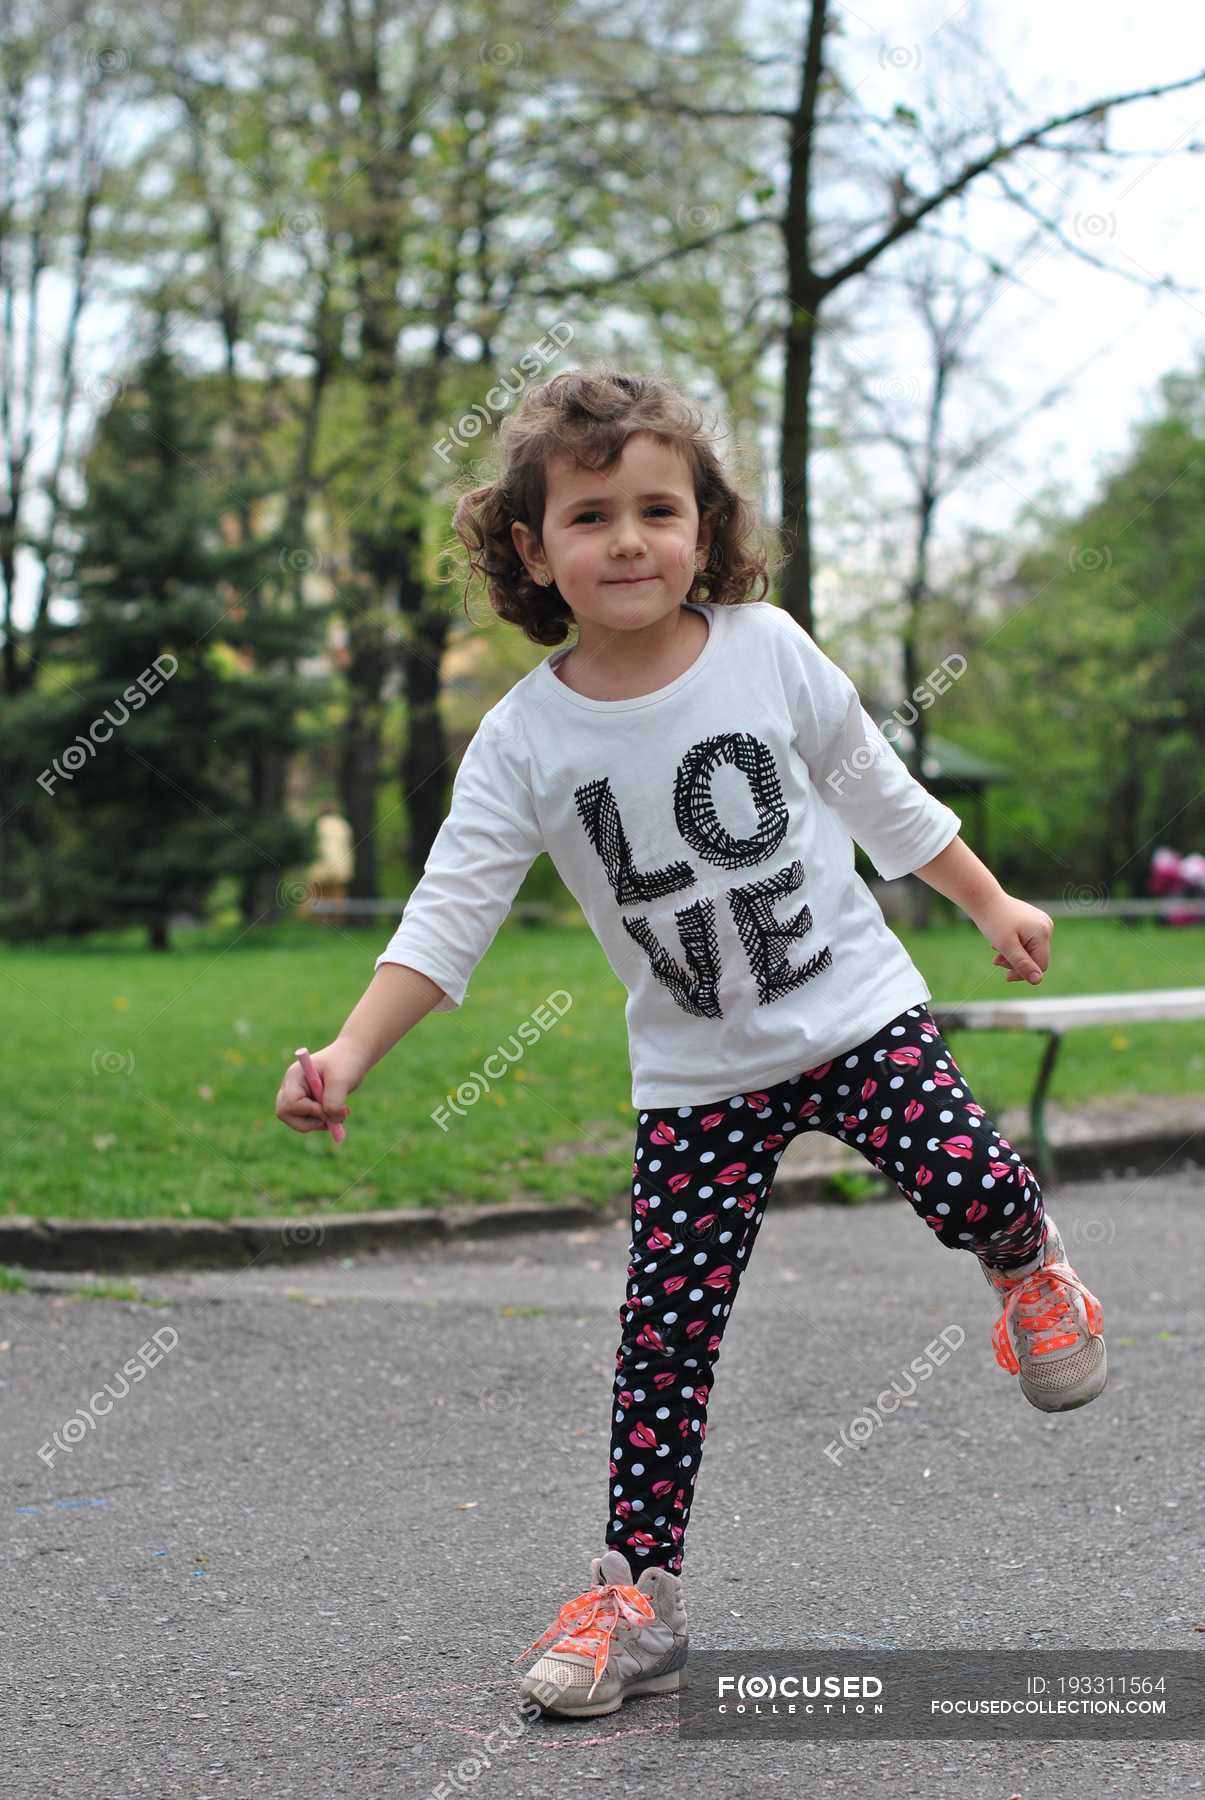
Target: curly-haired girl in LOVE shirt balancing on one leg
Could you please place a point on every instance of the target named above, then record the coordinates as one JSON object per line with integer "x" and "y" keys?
{"x": 700, "y": 771}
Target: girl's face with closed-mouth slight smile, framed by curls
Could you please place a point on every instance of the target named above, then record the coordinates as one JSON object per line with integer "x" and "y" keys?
{"x": 622, "y": 548}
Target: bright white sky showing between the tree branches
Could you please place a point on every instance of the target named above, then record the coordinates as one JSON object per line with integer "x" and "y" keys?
{"x": 1062, "y": 319}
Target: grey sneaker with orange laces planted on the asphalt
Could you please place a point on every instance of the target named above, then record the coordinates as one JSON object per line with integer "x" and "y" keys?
{"x": 617, "y": 1639}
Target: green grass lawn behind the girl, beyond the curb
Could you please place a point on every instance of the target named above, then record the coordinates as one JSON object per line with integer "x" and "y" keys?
{"x": 143, "y": 1086}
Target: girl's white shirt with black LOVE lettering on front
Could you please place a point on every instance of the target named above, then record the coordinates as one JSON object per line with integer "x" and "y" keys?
{"x": 707, "y": 832}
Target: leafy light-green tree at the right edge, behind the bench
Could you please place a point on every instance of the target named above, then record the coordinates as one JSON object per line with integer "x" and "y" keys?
{"x": 1094, "y": 667}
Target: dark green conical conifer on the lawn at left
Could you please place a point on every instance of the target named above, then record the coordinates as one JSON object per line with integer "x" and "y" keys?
{"x": 141, "y": 755}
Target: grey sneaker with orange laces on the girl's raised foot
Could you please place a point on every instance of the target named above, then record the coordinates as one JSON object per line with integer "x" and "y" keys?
{"x": 1058, "y": 1327}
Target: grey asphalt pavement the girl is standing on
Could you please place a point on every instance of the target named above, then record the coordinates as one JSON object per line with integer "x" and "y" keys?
{"x": 300, "y": 1554}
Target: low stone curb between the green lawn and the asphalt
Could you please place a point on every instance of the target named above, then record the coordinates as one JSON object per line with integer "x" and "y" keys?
{"x": 136, "y": 1245}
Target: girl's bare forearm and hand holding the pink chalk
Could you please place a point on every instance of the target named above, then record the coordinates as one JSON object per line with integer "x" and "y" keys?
{"x": 395, "y": 1000}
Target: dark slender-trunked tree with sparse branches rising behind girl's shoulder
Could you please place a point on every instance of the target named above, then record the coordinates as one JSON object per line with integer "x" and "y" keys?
{"x": 828, "y": 138}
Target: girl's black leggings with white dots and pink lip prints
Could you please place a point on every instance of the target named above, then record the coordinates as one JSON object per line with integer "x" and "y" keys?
{"x": 700, "y": 1183}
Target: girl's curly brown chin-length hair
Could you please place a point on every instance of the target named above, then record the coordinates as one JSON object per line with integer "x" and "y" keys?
{"x": 590, "y": 415}
